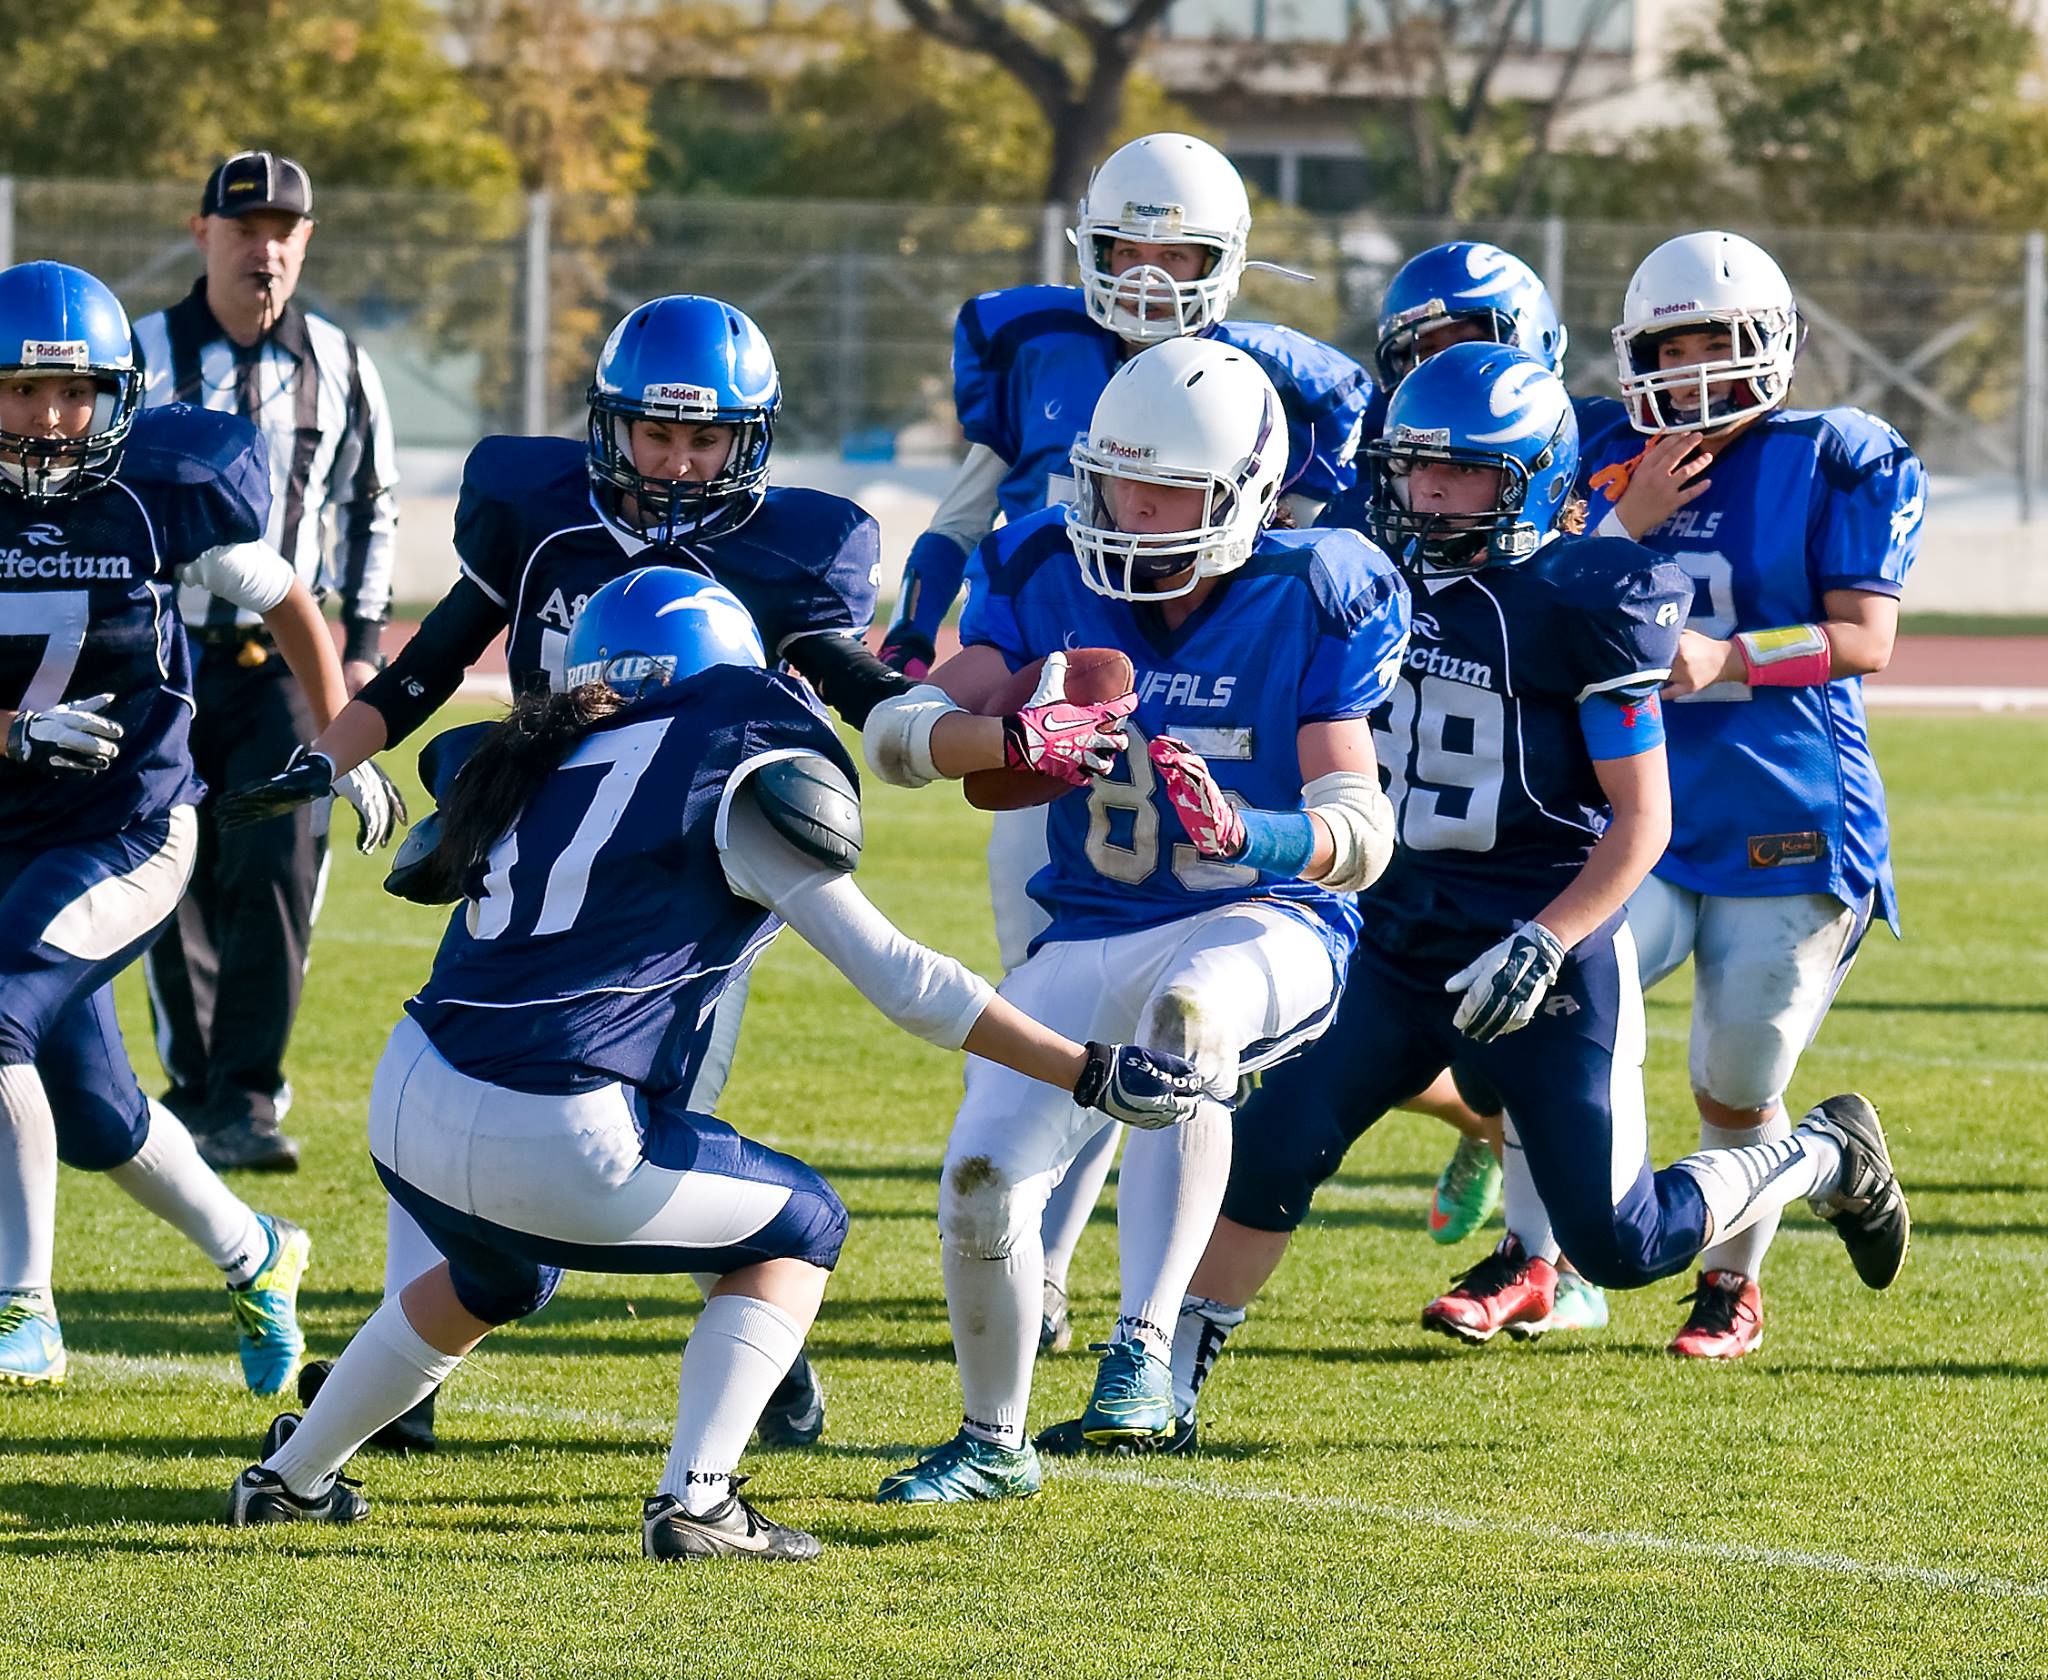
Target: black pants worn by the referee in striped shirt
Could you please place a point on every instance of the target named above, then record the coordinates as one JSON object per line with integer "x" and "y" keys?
{"x": 226, "y": 976}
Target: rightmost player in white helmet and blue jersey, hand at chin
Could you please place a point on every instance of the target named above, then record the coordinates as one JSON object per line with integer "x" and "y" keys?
{"x": 1797, "y": 530}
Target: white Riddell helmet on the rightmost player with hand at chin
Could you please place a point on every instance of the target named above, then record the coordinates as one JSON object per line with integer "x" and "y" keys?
{"x": 1707, "y": 282}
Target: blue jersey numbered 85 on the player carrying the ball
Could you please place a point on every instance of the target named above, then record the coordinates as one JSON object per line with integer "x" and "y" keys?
{"x": 1308, "y": 632}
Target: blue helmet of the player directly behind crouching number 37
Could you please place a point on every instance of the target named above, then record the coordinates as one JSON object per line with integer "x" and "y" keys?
{"x": 685, "y": 360}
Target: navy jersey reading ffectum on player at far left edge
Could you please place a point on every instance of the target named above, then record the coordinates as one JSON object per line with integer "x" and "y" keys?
{"x": 87, "y": 610}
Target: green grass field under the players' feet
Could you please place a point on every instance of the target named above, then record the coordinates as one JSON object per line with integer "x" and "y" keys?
{"x": 1863, "y": 1497}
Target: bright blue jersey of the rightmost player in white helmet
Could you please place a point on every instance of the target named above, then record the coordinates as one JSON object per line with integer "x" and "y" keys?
{"x": 1775, "y": 792}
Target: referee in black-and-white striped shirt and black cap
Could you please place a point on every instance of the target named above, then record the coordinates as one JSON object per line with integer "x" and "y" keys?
{"x": 226, "y": 976}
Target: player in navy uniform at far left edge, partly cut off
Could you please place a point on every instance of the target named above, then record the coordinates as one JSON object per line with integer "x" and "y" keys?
{"x": 105, "y": 511}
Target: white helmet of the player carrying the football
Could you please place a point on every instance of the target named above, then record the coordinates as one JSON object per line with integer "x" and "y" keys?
{"x": 1189, "y": 415}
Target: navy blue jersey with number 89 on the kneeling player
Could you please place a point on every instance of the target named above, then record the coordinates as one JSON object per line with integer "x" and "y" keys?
{"x": 1482, "y": 747}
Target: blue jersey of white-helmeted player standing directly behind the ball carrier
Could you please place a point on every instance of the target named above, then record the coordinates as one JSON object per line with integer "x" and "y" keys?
{"x": 1029, "y": 366}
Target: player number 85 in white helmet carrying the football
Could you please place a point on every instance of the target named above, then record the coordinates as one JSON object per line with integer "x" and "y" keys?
{"x": 1263, "y": 650}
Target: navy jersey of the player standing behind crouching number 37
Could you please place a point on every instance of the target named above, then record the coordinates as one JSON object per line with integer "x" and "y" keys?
{"x": 531, "y": 538}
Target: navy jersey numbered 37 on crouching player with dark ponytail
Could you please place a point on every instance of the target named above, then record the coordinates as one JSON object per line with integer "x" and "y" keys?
{"x": 601, "y": 929}
